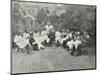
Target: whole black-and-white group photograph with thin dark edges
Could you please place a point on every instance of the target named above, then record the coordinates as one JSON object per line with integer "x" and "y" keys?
{"x": 52, "y": 37}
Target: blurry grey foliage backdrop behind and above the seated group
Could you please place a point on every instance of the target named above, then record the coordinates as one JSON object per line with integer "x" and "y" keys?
{"x": 32, "y": 16}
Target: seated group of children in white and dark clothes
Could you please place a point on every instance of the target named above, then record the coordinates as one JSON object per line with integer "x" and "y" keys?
{"x": 49, "y": 36}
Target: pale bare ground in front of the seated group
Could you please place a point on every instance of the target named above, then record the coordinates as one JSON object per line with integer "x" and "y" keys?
{"x": 49, "y": 59}
